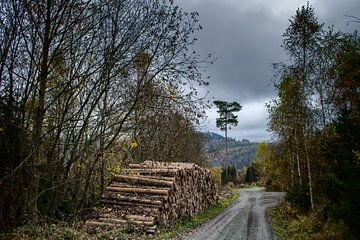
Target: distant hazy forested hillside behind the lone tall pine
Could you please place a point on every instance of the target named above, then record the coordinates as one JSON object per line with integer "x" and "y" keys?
{"x": 240, "y": 153}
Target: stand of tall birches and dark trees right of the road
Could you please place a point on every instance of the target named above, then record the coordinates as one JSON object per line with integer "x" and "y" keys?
{"x": 315, "y": 122}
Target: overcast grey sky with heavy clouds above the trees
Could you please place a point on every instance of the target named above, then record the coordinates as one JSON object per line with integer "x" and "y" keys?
{"x": 245, "y": 37}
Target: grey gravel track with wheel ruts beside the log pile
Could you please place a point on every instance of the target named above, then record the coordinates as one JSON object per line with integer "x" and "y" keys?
{"x": 246, "y": 219}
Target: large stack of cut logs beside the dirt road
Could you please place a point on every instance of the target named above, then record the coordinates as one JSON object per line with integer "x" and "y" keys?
{"x": 151, "y": 193}
